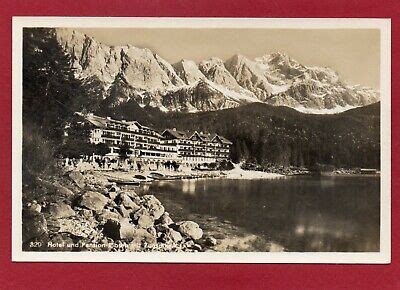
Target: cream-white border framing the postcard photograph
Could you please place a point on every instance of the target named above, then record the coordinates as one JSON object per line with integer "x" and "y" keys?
{"x": 382, "y": 257}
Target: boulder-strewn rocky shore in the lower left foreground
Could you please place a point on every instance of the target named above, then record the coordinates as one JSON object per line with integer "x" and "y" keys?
{"x": 85, "y": 212}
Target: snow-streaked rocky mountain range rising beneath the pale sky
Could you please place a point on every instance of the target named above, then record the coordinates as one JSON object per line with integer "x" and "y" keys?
{"x": 128, "y": 72}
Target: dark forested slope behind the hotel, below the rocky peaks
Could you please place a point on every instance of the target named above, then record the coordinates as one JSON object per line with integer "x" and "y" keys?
{"x": 280, "y": 135}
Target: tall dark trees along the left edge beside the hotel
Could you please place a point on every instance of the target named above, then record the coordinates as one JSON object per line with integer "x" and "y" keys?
{"x": 51, "y": 95}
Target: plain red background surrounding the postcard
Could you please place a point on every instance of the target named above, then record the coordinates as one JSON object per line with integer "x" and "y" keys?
{"x": 130, "y": 275}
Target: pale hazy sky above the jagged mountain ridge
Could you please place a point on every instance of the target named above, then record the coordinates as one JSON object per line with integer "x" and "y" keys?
{"x": 353, "y": 53}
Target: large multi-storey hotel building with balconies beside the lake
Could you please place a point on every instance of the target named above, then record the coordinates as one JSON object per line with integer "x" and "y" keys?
{"x": 149, "y": 147}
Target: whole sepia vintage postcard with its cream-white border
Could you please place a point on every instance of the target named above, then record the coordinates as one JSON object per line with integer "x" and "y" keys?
{"x": 201, "y": 140}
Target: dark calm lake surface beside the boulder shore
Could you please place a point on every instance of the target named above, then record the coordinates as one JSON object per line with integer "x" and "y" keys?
{"x": 305, "y": 213}
